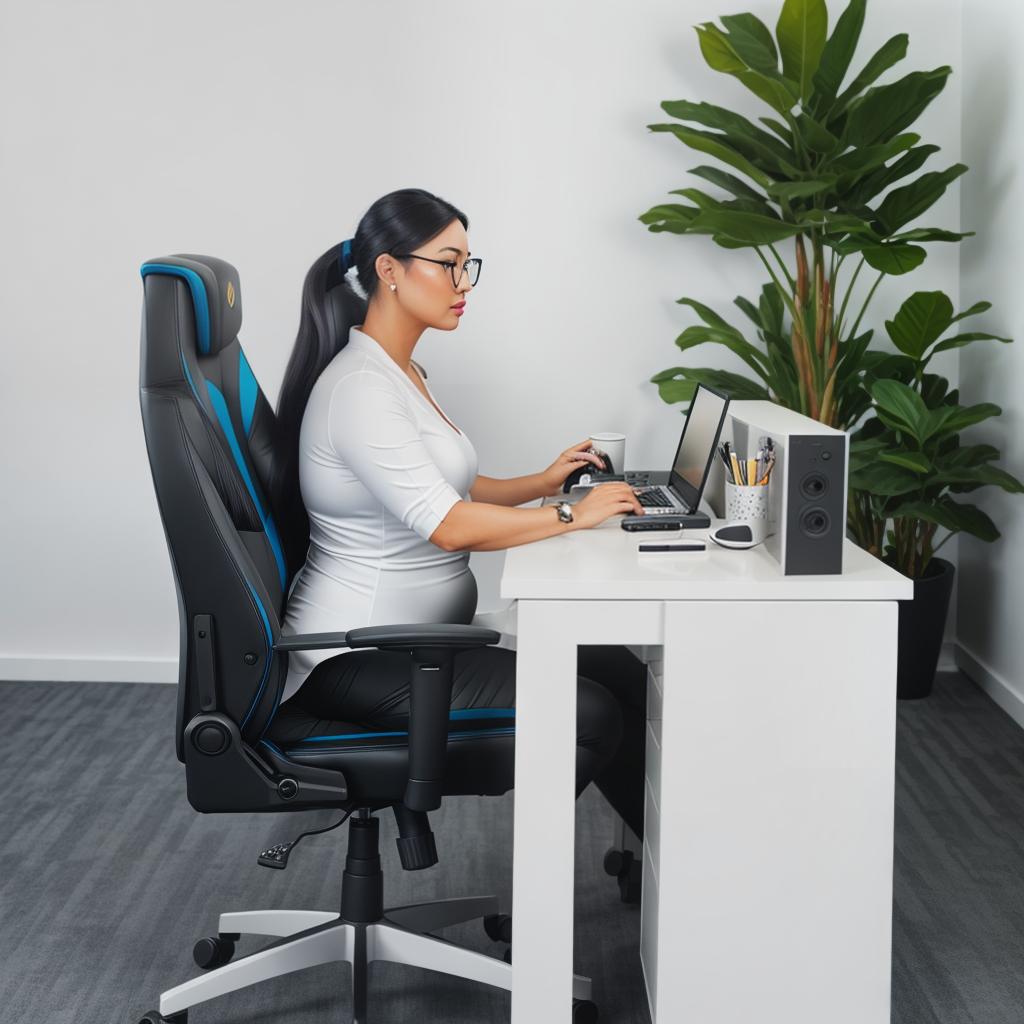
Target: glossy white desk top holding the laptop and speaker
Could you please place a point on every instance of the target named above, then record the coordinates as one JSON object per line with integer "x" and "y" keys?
{"x": 603, "y": 564}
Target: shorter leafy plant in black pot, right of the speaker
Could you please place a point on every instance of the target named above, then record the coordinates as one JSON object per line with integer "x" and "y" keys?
{"x": 909, "y": 468}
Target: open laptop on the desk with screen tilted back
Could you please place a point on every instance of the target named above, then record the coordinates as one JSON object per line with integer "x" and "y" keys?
{"x": 678, "y": 492}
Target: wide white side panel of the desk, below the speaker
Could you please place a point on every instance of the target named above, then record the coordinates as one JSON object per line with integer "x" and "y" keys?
{"x": 777, "y": 826}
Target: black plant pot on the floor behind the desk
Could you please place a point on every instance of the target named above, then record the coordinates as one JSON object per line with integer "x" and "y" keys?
{"x": 922, "y": 623}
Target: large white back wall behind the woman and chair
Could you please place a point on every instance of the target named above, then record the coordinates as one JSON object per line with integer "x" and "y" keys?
{"x": 261, "y": 133}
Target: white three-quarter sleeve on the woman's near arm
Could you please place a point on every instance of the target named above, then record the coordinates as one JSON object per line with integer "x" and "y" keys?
{"x": 373, "y": 432}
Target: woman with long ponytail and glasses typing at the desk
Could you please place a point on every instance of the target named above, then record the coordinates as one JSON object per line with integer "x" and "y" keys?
{"x": 396, "y": 504}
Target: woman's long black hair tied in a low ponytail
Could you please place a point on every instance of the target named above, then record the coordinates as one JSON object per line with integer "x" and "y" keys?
{"x": 400, "y": 222}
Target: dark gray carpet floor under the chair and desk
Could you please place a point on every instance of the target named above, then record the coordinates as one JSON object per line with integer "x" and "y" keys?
{"x": 109, "y": 877}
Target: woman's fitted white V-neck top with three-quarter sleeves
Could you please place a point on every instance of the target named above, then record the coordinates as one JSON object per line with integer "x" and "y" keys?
{"x": 379, "y": 470}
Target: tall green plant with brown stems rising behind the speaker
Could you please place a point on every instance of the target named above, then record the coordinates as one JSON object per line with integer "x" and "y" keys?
{"x": 830, "y": 172}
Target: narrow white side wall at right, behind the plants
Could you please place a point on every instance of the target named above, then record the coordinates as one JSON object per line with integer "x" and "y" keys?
{"x": 992, "y": 577}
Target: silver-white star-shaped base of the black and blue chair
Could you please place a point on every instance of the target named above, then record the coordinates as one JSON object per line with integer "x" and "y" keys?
{"x": 314, "y": 937}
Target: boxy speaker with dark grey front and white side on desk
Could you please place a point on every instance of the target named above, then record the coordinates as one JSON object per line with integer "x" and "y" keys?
{"x": 807, "y": 489}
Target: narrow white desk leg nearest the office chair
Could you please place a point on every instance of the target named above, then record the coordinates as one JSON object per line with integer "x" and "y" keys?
{"x": 545, "y": 814}
